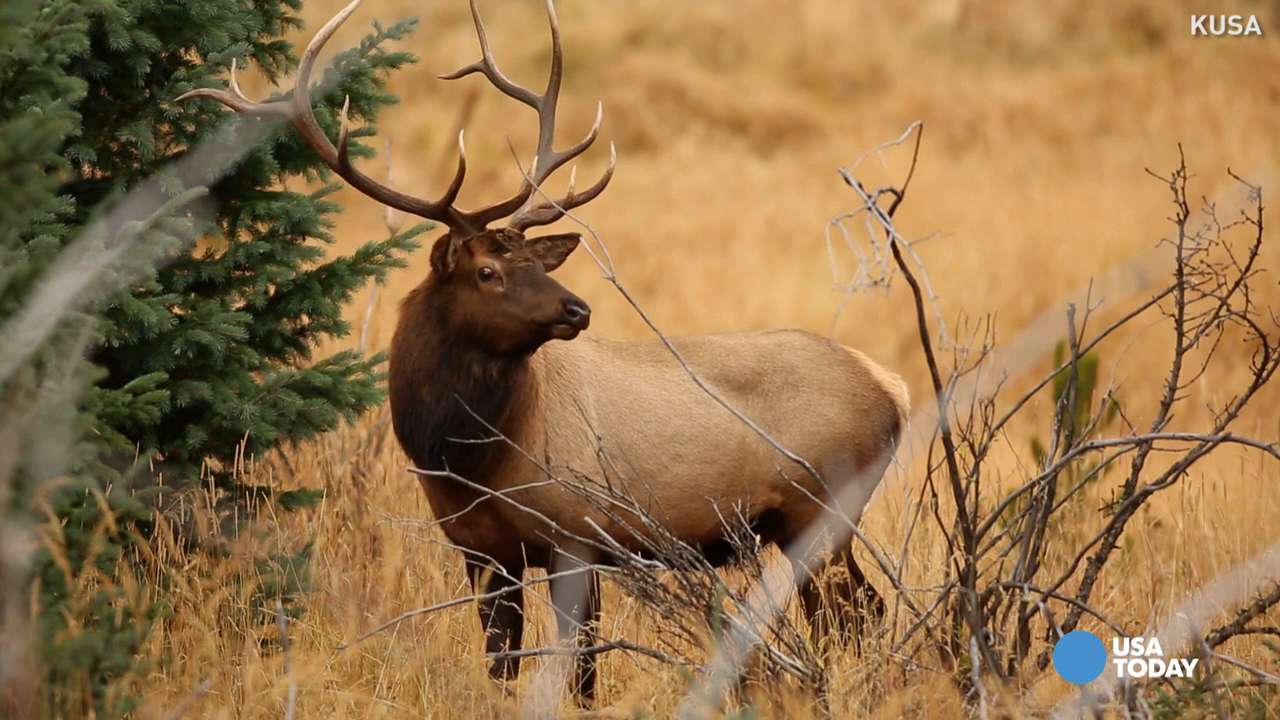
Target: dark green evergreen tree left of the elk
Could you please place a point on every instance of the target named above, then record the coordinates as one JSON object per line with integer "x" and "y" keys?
{"x": 182, "y": 353}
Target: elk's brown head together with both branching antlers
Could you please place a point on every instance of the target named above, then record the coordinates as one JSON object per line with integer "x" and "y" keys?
{"x": 492, "y": 285}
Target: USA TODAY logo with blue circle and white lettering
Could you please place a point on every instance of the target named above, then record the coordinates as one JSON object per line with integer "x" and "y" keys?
{"x": 1080, "y": 658}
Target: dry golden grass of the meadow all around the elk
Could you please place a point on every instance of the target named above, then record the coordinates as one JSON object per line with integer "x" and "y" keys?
{"x": 732, "y": 120}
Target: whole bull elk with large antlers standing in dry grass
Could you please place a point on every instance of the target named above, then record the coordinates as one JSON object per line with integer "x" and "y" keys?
{"x": 479, "y": 393}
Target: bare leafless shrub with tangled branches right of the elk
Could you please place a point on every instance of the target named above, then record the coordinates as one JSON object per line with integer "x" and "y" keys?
{"x": 1023, "y": 563}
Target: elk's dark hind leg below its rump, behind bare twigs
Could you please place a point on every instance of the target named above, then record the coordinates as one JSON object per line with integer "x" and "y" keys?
{"x": 840, "y": 603}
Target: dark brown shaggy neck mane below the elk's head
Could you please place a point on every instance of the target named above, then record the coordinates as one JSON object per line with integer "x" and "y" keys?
{"x": 450, "y": 399}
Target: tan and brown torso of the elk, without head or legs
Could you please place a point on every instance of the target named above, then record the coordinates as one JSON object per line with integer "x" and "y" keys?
{"x": 629, "y": 412}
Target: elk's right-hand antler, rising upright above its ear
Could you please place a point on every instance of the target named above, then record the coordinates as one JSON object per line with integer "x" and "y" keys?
{"x": 527, "y": 213}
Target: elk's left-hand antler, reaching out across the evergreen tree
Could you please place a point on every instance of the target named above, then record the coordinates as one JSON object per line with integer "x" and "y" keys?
{"x": 299, "y": 112}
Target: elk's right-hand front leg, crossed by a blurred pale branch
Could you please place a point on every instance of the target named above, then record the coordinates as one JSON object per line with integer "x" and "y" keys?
{"x": 577, "y": 601}
